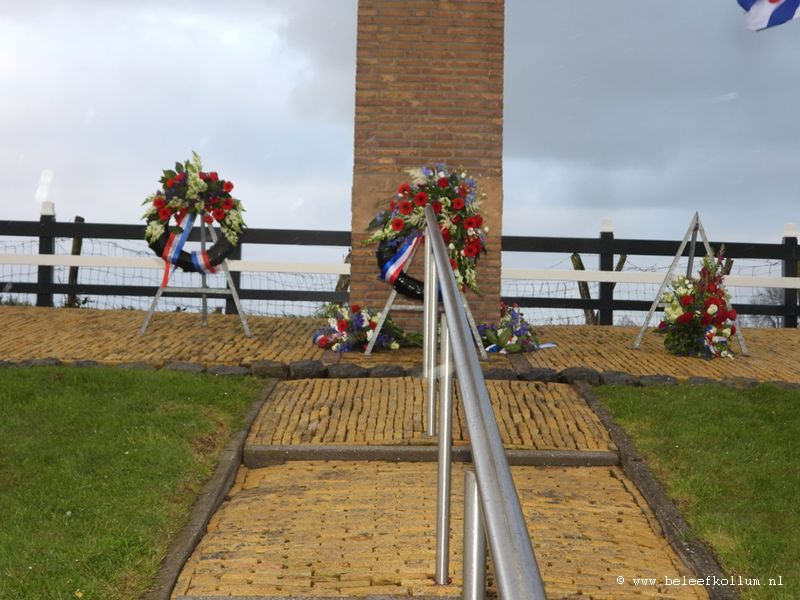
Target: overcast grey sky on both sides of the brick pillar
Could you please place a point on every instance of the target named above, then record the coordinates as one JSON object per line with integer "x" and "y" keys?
{"x": 640, "y": 110}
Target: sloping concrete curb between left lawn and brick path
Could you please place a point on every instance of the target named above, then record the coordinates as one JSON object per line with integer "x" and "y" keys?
{"x": 211, "y": 496}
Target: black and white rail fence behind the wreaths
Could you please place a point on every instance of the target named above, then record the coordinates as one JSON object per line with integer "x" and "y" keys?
{"x": 125, "y": 268}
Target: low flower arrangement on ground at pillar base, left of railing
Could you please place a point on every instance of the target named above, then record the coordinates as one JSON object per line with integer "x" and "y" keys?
{"x": 351, "y": 329}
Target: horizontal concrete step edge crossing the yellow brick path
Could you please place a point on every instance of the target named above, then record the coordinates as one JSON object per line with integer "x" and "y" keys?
{"x": 256, "y": 456}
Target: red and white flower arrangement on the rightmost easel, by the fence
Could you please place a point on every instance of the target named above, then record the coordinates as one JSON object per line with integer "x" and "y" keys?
{"x": 697, "y": 321}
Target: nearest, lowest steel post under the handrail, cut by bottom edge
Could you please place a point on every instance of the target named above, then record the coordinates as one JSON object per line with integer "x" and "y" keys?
{"x": 474, "y": 571}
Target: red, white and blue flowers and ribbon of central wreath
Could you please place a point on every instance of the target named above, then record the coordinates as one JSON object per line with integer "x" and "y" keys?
{"x": 456, "y": 201}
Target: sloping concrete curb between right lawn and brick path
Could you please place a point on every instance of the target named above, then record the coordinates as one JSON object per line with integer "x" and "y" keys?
{"x": 677, "y": 531}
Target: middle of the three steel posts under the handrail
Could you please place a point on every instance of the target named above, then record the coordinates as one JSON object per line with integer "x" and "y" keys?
{"x": 445, "y": 447}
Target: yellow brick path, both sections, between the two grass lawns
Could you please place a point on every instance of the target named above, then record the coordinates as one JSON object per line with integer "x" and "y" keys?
{"x": 334, "y": 529}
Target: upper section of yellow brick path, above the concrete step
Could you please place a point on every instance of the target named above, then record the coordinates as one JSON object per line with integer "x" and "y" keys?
{"x": 392, "y": 411}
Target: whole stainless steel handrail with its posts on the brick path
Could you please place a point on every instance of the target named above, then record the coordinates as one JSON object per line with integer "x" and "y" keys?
{"x": 516, "y": 572}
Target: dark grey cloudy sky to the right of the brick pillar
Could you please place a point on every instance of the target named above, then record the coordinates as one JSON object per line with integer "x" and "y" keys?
{"x": 653, "y": 104}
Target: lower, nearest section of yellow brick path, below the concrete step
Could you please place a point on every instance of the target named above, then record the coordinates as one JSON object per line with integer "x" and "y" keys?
{"x": 340, "y": 529}
